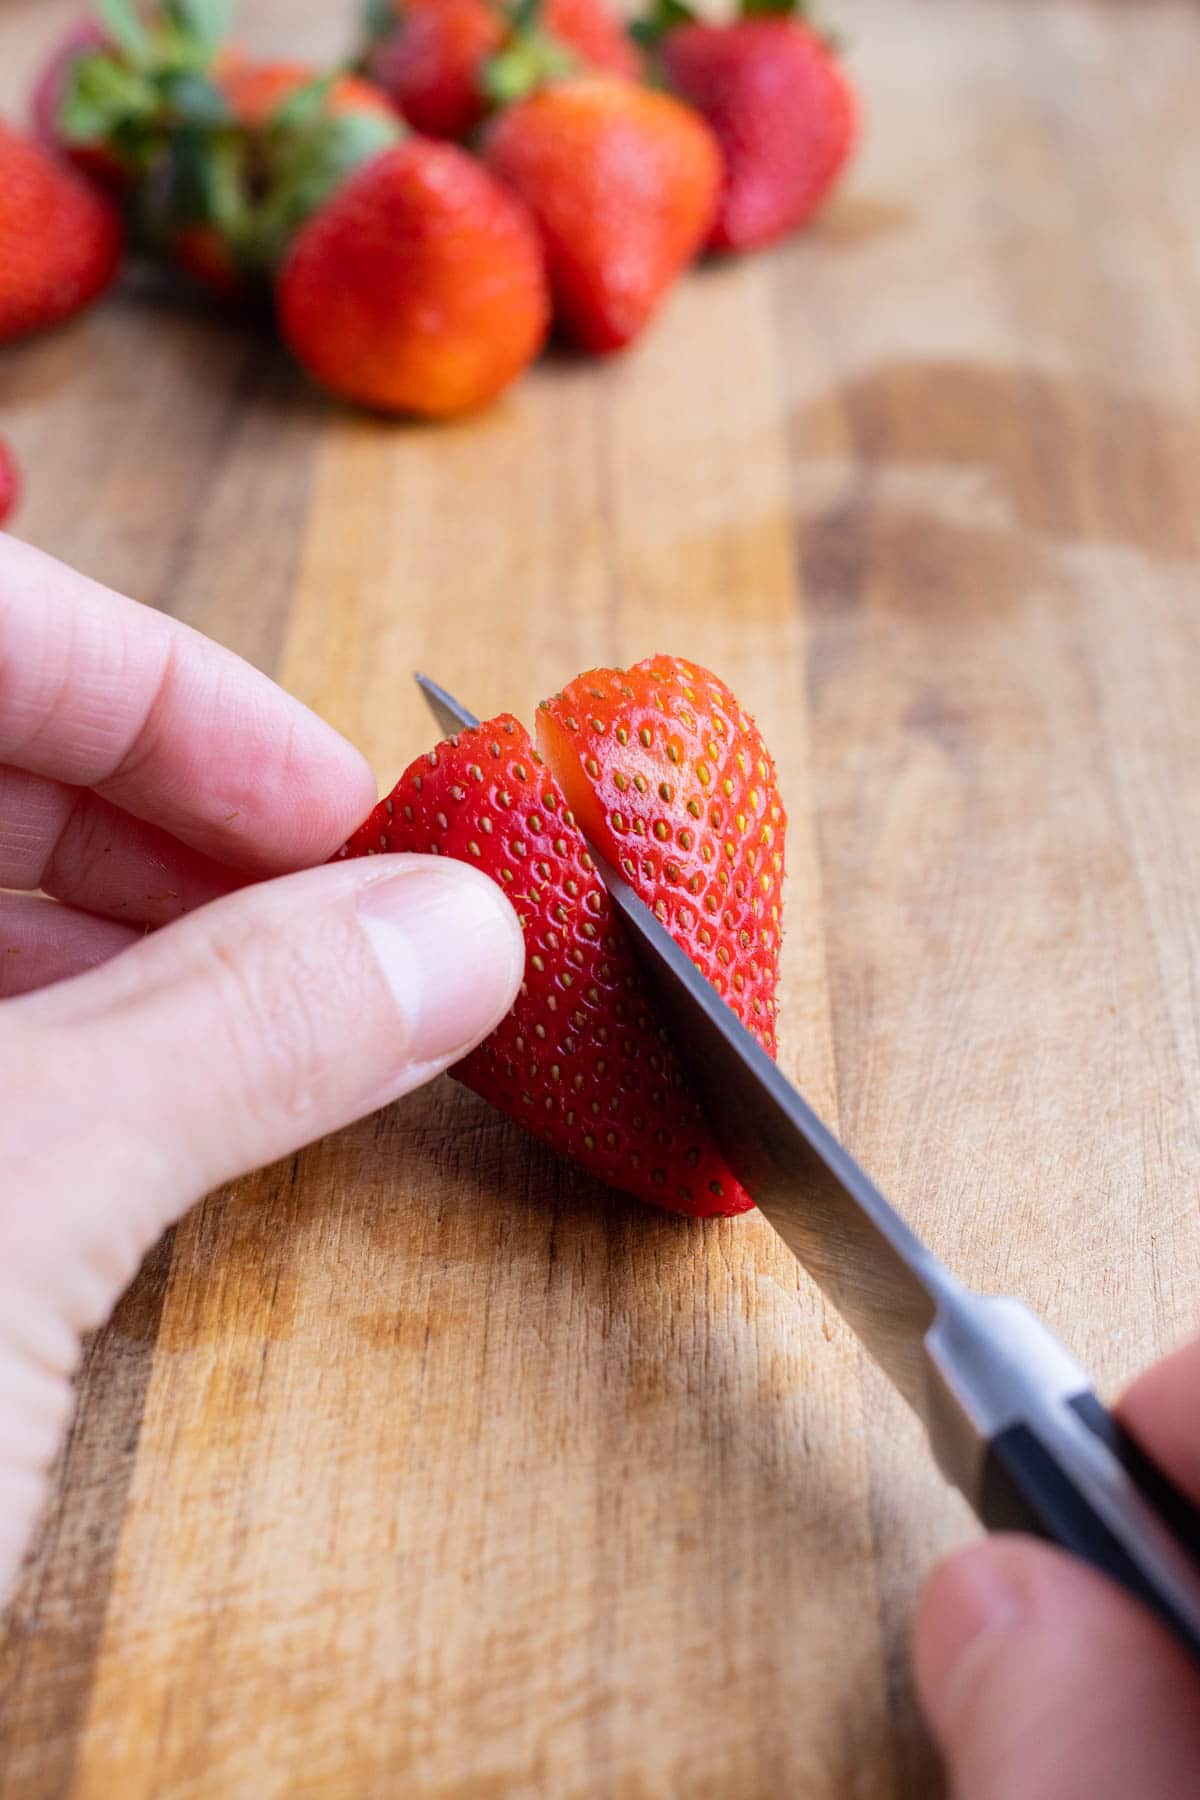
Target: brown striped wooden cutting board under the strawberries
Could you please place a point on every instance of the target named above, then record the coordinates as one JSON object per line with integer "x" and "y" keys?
{"x": 420, "y": 1466}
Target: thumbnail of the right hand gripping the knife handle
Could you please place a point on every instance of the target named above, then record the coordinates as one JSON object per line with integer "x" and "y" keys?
{"x": 967, "y": 1608}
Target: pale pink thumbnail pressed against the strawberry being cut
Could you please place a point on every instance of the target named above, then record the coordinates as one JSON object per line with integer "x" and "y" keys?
{"x": 452, "y": 953}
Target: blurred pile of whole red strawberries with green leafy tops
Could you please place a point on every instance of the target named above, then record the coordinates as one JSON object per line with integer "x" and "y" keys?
{"x": 488, "y": 170}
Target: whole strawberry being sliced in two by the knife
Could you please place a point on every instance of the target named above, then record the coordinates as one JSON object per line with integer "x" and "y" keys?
{"x": 584, "y": 1061}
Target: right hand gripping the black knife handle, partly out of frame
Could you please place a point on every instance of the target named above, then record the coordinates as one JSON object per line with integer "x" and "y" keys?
{"x": 1043, "y": 1680}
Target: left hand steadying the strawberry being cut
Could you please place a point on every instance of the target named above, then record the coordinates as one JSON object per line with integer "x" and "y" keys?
{"x": 181, "y": 1020}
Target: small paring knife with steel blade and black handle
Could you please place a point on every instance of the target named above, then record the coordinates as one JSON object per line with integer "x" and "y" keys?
{"x": 1012, "y": 1417}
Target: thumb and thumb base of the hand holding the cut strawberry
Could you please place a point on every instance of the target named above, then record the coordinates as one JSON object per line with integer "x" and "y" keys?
{"x": 224, "y": 1041}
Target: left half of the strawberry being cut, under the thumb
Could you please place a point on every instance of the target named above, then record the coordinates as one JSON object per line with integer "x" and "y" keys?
{"x": 580, "y": 1061}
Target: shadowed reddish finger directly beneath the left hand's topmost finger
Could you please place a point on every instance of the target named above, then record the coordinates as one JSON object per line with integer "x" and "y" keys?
{"x": 80, "y": 849}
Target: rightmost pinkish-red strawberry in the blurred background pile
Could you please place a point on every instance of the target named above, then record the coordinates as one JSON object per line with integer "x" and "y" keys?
{"x": 785, "y": 116}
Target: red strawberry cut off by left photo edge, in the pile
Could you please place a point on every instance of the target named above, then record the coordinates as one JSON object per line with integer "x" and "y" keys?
{"x": 60, "y": 238}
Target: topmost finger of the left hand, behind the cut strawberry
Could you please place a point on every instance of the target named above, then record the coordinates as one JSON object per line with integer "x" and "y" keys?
{"x": 100, "y": 692}
